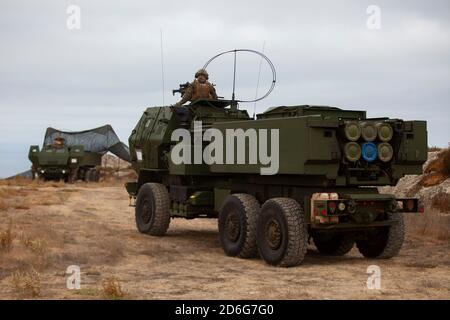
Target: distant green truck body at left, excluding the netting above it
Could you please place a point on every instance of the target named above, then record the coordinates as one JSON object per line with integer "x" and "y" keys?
{"x": 65, "y": 163}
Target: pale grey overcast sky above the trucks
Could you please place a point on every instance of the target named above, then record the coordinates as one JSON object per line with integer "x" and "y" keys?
{"x": 109, "y": 71}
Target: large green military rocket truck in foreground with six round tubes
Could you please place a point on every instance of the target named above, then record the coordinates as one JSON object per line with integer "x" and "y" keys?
{"x": 331, "y": 162}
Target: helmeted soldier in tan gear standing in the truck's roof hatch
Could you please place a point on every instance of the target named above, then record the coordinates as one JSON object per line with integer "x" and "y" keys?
{"x": 200, "y": 88}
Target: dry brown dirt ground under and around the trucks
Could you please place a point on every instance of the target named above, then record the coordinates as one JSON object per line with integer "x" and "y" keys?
{"x": 53, "y": 226}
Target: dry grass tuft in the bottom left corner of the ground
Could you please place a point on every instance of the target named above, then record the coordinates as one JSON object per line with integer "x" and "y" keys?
{"x": 27, "y": 284}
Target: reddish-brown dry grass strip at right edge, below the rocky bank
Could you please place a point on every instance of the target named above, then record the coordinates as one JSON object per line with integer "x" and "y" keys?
{"x": 432, "y": 224}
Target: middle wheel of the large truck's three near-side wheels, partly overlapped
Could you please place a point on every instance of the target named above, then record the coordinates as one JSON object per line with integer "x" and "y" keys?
{"x": 237, "y": 225}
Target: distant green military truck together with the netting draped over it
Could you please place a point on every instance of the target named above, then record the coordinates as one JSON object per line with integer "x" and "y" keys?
{"x": 77, "y": 157}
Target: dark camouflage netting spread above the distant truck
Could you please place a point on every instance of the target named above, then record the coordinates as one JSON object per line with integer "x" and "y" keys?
{"x": 98, "y": 140}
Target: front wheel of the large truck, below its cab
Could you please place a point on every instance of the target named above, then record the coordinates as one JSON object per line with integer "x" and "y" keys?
{"x": 153, "y": 209}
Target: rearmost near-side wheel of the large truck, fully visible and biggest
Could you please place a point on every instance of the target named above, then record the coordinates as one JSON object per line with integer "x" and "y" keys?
{"x": 282, "y": 234}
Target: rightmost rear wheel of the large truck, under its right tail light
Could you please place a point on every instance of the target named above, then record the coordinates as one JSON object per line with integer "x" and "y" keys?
{"x": 386, "y": 242}
